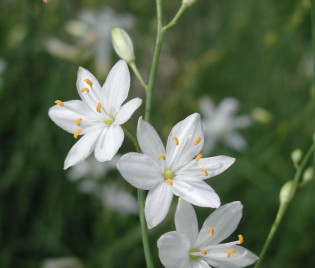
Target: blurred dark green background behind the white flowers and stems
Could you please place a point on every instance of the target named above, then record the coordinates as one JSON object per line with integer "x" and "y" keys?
{"x": 256, "y": 51}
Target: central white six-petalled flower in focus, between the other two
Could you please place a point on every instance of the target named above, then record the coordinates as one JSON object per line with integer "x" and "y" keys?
{"x": 179, "y": 170}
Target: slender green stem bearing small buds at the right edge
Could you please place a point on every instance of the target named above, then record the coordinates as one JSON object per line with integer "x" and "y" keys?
{"x": 283, "y": 206}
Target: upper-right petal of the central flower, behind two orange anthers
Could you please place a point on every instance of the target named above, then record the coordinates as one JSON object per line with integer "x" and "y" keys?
{"x": 186, "y": 131}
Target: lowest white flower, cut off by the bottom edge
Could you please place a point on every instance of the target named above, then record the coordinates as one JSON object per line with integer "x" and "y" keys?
{"x": 186, "y": 248}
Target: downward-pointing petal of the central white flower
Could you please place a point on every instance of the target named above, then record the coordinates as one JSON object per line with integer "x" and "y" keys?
{"x": 158, "y": 204}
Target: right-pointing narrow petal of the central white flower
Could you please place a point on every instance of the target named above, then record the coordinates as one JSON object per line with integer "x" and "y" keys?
{"x": 206, "y": 167}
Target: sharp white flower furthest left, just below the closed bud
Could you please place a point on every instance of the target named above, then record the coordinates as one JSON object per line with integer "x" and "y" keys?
{"x": 98, "y": 115}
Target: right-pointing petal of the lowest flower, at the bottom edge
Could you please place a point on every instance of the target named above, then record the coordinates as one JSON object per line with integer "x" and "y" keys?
{"x": 241, "y": 258}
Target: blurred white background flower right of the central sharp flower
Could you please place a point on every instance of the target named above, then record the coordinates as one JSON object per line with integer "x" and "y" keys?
{"x": 221, "y": 124}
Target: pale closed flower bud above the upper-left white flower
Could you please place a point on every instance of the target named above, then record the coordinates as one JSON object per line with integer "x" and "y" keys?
{"x": 123, "y": 44}
